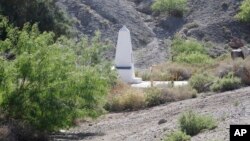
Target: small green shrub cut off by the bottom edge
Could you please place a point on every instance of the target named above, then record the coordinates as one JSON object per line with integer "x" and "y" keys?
{"x": 178, "y": 136}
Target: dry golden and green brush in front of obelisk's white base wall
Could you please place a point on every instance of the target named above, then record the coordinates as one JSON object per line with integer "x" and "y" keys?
{"x": 127, "y": 98}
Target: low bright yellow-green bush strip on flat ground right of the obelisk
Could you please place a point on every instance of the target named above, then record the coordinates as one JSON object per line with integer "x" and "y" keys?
{"x": 194, "y": 59}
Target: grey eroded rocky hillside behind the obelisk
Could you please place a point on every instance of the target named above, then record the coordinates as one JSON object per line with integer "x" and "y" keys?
{"x": 207, "y": 20}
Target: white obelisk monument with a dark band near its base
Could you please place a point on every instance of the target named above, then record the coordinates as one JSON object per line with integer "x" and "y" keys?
{"x": 124, "y": 57}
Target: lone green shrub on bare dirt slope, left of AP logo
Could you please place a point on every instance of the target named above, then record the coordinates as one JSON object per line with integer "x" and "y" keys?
{"x": 192, "y": 123}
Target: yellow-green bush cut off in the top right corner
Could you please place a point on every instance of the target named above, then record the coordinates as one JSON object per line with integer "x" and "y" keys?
{"x": 244, "y": 14}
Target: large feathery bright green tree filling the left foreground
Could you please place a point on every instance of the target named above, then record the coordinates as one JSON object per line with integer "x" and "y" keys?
{"x": 45, "y": 86}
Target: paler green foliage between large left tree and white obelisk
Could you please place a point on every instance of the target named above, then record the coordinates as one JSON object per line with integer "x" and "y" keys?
{"x": 92, "y": 53}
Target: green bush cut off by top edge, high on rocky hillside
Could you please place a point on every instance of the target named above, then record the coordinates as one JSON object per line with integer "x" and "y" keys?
{"x": 172, "y": 7}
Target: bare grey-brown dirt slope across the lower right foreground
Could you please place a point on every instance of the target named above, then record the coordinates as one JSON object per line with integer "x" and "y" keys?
{"x": 228, "y": 108}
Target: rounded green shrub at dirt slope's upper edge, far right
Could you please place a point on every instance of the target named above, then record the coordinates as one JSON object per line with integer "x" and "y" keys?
{"x": 227, "y": 83}
